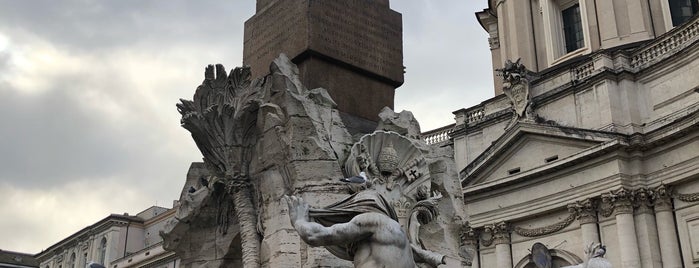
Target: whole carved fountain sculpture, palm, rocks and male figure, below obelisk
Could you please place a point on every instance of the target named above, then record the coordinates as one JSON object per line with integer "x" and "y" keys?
{"x": 265, "y": 138}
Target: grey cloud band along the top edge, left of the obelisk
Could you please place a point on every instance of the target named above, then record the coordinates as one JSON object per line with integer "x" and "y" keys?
{"x": 105, "y": 24}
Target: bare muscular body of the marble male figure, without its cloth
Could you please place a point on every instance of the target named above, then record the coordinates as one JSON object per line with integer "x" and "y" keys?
{"x": 376, "y": 240}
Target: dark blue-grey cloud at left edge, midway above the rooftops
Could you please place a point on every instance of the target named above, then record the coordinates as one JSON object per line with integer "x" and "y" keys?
{"x": 51, "y": 138}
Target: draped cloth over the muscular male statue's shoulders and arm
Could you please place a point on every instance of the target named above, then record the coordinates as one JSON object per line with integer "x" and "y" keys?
{"x": 345, "y": 210}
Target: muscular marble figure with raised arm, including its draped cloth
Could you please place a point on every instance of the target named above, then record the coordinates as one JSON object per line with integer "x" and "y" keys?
{"x": 371, "y": 238}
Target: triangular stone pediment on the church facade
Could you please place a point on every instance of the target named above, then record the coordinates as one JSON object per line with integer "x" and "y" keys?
{"x": 529, "y": 146}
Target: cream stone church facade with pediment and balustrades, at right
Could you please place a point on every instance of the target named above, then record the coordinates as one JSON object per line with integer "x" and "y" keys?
{"x": 596, "y": 140}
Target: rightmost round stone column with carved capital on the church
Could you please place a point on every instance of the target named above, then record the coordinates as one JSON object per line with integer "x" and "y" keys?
{"x": 669, "y": 249}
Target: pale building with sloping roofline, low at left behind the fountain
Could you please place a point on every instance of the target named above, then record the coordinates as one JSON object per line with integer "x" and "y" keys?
{"x": 115, "y": 241}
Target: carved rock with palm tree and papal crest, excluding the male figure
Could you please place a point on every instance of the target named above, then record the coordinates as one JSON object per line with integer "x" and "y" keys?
{"x": 271, "y": 137}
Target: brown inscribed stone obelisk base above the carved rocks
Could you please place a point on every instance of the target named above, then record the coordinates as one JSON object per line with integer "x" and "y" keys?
{"x": 352, "y": 48}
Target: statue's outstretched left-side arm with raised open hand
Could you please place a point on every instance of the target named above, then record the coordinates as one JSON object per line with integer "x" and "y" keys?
{"x": 315, "y": 234}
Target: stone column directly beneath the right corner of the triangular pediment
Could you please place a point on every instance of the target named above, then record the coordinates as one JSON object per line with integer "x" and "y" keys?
{"x": 626, "y": 230}
